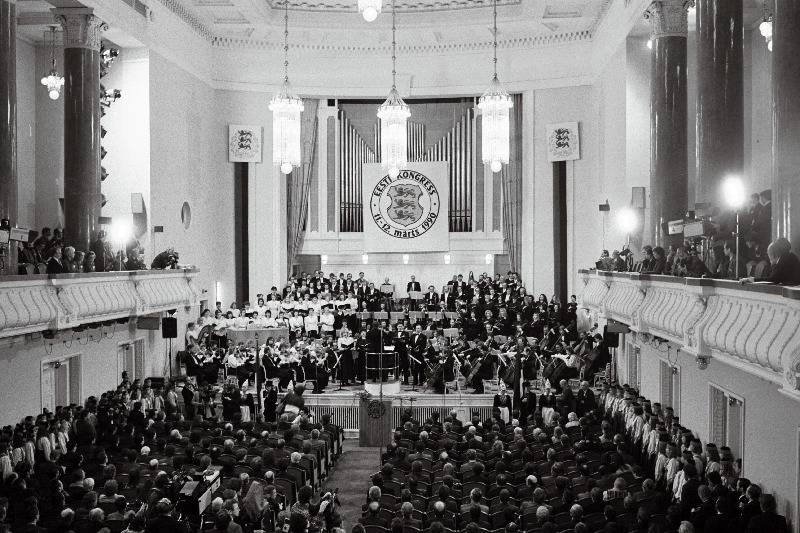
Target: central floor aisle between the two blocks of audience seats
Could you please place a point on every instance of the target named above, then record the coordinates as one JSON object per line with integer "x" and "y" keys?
{"x": 351, "y": 475}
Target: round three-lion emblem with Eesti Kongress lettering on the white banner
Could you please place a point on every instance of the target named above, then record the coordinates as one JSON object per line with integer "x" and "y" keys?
{"x": 405, "y": 207}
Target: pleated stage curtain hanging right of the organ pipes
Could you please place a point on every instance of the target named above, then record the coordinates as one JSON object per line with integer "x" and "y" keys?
{"x": 511, "y": 180}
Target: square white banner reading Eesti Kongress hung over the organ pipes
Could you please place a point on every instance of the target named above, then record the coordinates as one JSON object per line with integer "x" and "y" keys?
{"x": 408, "y": 213}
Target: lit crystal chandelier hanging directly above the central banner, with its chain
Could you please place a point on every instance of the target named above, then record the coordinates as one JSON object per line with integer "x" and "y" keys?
{"x": 394, "y": 115}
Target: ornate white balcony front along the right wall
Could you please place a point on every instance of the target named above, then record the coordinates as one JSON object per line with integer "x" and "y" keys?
{"x": 753, "y": 327}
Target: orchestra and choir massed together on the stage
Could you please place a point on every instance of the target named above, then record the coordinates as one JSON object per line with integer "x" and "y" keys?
{"x": 479, "y": 329}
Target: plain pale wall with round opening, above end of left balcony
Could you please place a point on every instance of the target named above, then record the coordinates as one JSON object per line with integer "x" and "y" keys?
{"x": 186, "y": 148}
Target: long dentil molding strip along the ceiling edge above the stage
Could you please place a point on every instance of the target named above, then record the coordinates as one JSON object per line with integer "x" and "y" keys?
{"x": 523, "y": 42}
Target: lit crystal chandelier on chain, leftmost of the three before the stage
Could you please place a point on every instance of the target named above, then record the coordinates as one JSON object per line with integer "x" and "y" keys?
{"x": 286, "y": 107}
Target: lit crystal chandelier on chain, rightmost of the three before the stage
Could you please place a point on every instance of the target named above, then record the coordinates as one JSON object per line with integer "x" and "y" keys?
{"x": 494, "y": 106}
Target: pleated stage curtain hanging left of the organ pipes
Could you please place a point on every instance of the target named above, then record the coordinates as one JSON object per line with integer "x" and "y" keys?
{"x": 299, "y": 181}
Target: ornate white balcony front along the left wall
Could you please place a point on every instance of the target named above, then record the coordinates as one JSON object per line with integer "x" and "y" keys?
{"x": 30, "y": 304}
